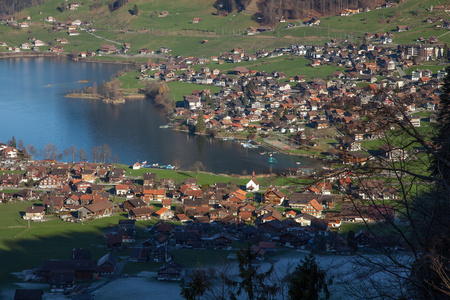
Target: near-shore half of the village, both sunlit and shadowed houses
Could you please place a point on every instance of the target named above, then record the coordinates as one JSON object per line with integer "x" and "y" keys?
{"x": 185, "y": 215}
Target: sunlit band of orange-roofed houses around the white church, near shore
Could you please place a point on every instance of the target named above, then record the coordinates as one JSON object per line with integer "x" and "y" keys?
{"x": 76, "y": 192}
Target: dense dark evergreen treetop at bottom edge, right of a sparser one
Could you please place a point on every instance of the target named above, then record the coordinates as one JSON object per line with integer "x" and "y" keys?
{"x": 308, "y": 281}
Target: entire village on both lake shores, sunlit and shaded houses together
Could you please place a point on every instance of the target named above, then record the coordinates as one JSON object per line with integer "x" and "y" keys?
{"x": 336, "y": 119}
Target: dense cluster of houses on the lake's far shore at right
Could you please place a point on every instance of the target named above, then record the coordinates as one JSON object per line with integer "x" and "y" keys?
{"x": 270, "y": 101}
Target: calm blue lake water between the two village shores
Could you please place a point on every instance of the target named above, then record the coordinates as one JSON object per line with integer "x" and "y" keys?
{"x": 33, "y": 108}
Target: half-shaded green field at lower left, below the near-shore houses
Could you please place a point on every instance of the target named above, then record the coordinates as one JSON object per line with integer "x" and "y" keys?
{"x": 23, "y": 247}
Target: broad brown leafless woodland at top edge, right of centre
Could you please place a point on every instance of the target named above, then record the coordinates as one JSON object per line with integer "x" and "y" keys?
{"x": 270, "y": 11}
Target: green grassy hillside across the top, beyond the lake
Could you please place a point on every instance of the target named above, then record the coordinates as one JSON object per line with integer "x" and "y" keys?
{"x": 176, "y": 29}
